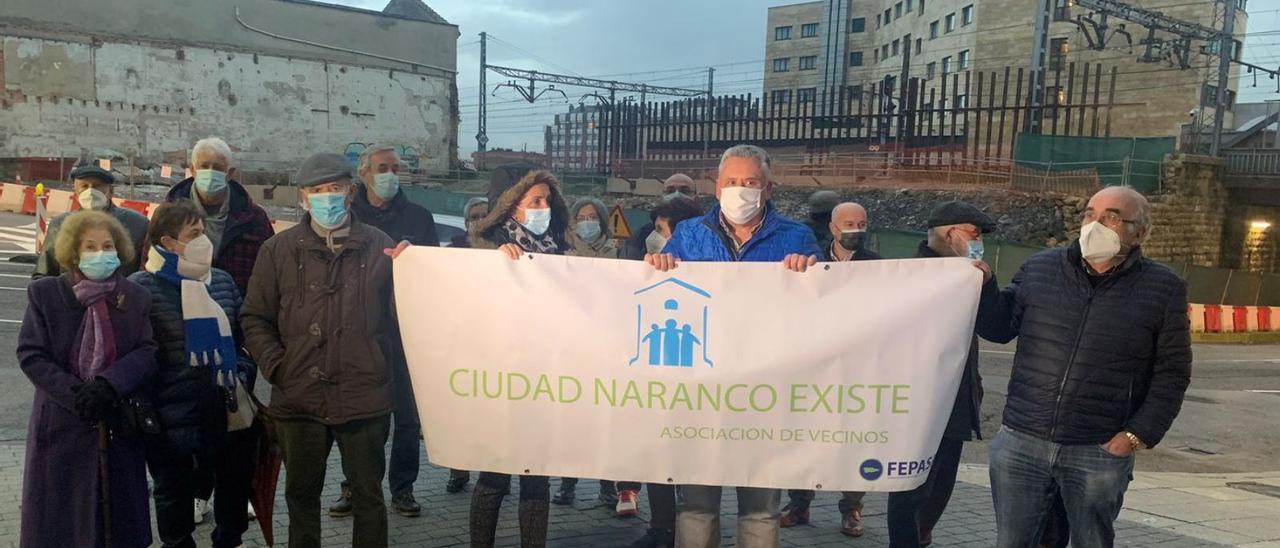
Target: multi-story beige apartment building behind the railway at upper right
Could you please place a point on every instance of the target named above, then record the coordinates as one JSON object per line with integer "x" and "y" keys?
{"x": 854, "y": 44}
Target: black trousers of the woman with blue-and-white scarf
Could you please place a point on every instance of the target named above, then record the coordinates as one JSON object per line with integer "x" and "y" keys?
{"x": 230, "y": 465}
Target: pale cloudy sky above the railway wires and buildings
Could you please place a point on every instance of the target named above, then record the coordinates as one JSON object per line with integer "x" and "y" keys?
{"x": 668, "y": 43}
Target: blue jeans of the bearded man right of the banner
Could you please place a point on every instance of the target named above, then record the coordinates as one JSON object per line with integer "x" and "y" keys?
{"x": 1025, "y": 471}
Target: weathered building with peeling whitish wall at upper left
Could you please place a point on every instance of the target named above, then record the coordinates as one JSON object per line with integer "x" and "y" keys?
{"x": 277, "y": 79}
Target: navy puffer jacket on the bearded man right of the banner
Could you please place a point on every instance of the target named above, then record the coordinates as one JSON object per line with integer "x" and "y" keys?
{"x": 1095, "y": 357}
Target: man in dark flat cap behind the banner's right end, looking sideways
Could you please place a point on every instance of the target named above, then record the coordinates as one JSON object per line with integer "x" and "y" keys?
{"x": 956, "y": 231}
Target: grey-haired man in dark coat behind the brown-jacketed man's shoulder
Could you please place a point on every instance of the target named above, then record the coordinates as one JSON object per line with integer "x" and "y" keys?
{"x": 381, "y": 204}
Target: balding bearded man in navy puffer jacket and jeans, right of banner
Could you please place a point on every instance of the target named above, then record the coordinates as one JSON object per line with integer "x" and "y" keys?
{"x": 1103, "y": 364}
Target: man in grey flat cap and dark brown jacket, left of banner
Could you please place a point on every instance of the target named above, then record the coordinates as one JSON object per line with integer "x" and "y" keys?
{"x": 321, "y": 322}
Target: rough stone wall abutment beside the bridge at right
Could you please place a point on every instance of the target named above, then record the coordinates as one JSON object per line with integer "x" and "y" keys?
{"x": 1190, "y": 212}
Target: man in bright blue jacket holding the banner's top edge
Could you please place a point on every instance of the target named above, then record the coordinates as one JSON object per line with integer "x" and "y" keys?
{"x": 744, "y": 227}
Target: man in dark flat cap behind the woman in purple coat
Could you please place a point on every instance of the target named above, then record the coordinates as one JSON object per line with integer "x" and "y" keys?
{"x": 93, "y": 188}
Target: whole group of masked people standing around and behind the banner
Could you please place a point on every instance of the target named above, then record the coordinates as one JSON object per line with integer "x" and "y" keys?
{"x": 149, "y": 364}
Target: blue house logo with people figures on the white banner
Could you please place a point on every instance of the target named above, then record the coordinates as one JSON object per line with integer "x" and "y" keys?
{"x": 671, "y": 325}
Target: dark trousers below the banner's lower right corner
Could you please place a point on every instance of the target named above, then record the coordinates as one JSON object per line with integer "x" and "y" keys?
{"x": 913, "y": 514}
